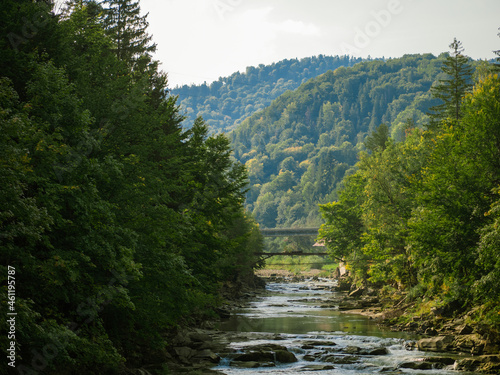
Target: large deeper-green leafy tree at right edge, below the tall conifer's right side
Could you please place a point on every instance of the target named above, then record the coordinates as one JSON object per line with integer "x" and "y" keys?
{"x": 456, "y": 193}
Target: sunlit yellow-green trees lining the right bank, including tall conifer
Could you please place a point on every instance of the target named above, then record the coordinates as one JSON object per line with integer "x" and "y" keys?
{"x": 421, "y": 214}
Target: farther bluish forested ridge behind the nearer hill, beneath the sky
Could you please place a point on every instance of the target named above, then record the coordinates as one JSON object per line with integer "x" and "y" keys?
{"x": 226, "y": 102}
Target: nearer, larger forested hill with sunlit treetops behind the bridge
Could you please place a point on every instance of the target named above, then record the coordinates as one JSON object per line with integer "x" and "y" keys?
{"x": 299, "y": 148}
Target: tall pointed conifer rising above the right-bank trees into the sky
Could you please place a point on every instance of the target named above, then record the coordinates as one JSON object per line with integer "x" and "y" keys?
{"x": 452, "y": 89}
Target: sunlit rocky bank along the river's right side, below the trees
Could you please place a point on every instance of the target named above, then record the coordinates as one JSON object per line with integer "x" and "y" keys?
{"x": 442, "y": 331}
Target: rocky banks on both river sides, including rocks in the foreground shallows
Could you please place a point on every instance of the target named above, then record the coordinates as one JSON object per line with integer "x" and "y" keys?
{"x": 450, "y": 342}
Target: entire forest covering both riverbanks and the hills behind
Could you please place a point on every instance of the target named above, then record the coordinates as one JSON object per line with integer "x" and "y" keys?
{"x": 123, "y": 213}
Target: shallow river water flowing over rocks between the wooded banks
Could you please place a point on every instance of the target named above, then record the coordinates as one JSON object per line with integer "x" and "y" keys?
{"x": 301, "y": 317}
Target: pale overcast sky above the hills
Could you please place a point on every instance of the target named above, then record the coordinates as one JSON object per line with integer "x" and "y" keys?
{"x": 202, "y": 40}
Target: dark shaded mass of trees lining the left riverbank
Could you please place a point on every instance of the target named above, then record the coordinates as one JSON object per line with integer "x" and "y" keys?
{"x": 115, "y": 224}
